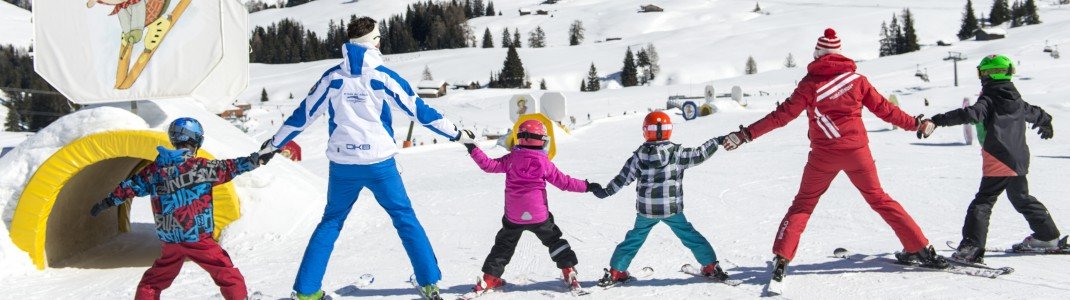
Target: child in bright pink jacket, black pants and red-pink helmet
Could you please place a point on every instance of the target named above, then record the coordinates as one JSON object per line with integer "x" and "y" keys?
{"x": 527, "y": 172}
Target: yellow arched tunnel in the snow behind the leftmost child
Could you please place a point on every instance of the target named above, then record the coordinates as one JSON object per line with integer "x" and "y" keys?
{"x": 52, "y": 220}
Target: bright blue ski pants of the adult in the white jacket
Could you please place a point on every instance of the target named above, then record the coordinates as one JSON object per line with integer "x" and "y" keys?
{"x": 344, "y": 187}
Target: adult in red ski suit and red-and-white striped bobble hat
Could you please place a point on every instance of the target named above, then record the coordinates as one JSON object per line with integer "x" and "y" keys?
{"x": 833, "y": 97}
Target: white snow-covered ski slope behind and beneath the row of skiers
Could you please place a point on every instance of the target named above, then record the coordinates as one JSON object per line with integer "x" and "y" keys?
{"x": 737, "y": 200}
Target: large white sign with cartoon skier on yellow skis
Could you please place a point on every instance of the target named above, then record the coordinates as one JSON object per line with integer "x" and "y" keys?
{"x": 115, "y": 51}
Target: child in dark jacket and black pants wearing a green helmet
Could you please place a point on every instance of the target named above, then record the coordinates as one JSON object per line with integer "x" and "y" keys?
{"x": 1006, "y": 156}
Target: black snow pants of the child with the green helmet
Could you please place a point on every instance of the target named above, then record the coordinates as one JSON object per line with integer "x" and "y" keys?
{"x": 976, "y": 230}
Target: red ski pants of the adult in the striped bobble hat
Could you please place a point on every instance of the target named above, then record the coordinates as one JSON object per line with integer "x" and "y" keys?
{"x": 822, "y": 168}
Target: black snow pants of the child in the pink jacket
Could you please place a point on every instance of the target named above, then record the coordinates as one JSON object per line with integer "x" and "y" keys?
{"x": 508, "y": 238}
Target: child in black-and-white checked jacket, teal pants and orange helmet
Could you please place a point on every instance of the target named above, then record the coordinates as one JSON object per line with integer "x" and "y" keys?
{"x": 660, "y": 166}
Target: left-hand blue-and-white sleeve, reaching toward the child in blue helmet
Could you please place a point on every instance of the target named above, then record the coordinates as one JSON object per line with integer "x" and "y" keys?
{"x": 310, "y": 110}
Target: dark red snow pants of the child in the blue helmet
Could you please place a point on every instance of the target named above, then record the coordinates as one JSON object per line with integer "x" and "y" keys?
{"x": 206, "y": 253}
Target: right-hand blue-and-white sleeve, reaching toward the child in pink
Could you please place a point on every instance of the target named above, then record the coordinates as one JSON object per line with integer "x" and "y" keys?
{"x": 400, "y": 91}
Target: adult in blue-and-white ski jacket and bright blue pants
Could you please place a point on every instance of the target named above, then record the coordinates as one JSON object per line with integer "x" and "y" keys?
{"x": 358, "y": 96}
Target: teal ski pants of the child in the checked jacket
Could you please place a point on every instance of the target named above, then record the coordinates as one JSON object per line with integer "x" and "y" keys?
{"x": 634, "y": 241}
